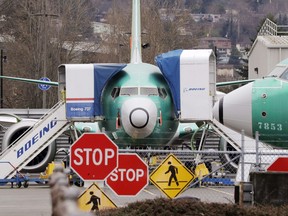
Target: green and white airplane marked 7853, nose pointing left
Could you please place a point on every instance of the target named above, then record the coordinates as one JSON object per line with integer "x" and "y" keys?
{"x": 259, "y": 106}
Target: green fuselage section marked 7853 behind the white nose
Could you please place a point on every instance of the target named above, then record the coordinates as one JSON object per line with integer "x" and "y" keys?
{"x": 270, "y": 111}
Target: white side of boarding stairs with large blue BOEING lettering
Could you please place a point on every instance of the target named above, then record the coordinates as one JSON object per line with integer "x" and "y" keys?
{"x": 37, "y": 138}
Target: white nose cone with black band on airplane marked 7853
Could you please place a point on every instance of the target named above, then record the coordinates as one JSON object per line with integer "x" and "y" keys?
{"x": 234, "y": 110}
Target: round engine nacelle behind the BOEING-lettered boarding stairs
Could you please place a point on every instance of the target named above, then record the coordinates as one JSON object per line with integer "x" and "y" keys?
{"x": 39, "y": 163}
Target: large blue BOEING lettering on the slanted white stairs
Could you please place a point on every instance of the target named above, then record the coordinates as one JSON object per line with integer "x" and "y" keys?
{"x": 36, "y": 138}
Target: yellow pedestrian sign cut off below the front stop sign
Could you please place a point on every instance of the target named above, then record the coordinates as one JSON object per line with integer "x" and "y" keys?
{"x": 93, "y": 199}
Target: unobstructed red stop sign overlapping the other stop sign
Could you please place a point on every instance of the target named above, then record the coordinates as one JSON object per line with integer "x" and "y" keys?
{"x": 93, "y": 156}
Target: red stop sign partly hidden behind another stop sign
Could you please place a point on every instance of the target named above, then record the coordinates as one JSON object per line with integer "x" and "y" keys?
{"x": 130, "y": 177}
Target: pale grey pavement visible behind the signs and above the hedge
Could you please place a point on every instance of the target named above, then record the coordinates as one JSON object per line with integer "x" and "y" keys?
{"x": 36, "y": 200}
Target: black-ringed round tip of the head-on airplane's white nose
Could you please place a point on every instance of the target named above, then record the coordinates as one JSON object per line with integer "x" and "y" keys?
{"x": 139, "y": 117}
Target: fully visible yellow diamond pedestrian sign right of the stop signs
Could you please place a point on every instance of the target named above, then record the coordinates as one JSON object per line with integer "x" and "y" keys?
{"x": 171, "y": 176}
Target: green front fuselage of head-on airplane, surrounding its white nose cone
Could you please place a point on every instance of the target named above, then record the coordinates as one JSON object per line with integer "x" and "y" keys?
{"x": 129, "y": 83}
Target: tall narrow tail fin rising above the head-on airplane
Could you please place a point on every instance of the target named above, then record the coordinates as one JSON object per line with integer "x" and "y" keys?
{"x": 136, "y": 56}
